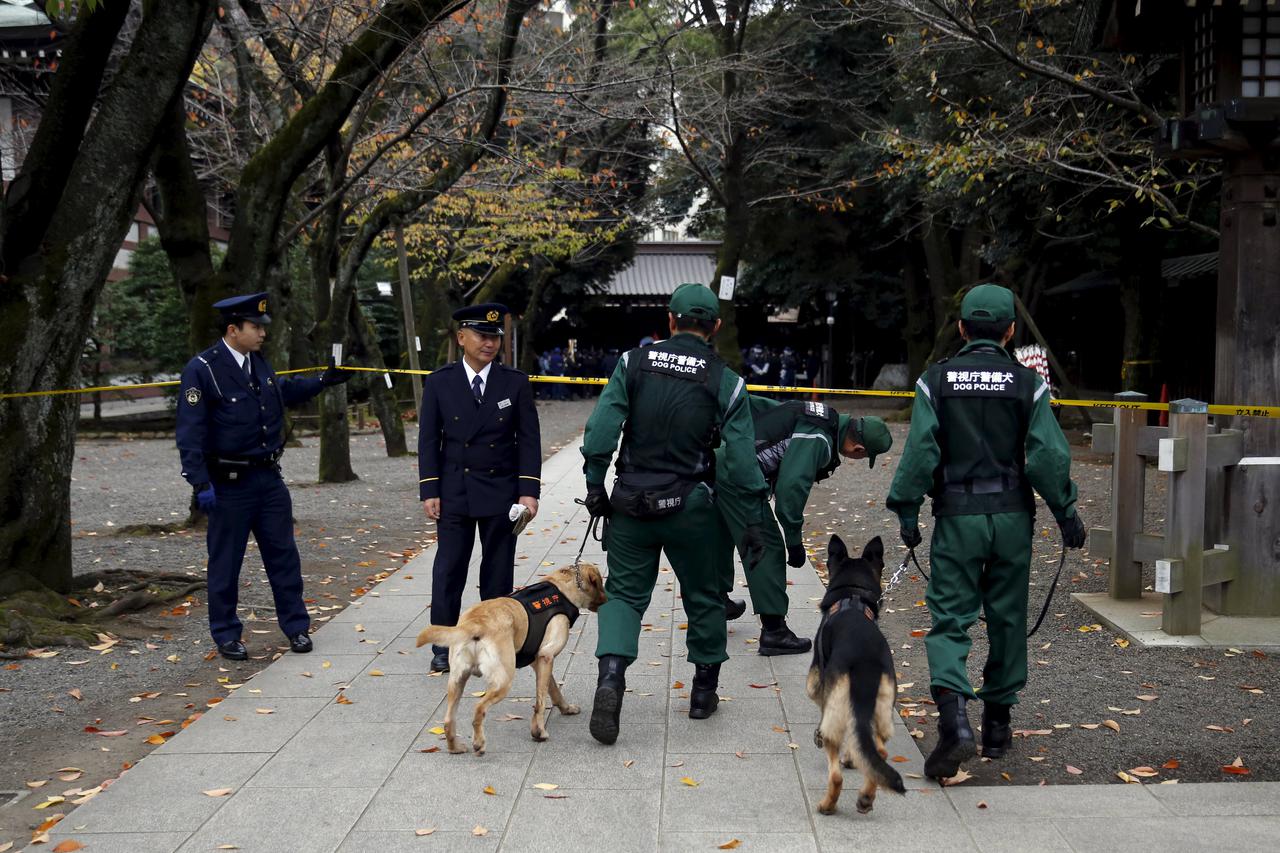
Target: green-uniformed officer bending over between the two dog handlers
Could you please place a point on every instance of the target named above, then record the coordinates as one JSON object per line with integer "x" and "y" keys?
{"x": 798, "y": 444}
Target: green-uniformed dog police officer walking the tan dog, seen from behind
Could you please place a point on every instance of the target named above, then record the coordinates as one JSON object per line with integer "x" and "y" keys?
{"x": 673, "y": 403}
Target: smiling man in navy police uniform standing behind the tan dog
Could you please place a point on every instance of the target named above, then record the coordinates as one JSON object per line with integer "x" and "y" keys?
{"x": 479, "y": 453}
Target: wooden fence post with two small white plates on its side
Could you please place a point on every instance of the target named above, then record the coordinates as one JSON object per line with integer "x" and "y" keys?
{"x": 1185, "y": 457}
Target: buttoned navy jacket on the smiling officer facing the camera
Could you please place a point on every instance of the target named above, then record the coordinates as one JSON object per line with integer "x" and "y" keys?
{"x": 478, "y": 459}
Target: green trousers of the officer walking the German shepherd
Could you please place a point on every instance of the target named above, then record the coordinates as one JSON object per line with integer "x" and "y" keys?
{"x": 980, "y": 563}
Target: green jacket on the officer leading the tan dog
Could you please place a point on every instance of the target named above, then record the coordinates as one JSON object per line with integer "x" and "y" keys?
{"x": 737, "y": 428}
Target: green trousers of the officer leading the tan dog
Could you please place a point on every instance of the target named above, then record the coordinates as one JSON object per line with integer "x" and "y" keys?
{"x": 634, "y": 546}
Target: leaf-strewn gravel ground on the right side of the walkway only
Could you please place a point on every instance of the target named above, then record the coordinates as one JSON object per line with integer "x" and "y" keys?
{"x": 1162, "y": 699}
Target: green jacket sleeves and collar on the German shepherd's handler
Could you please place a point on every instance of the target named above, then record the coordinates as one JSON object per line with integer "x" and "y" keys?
{"x": 1049, "y": 459}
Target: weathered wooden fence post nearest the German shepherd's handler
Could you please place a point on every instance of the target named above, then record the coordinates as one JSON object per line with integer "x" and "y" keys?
{"x": 1128, "y": 499}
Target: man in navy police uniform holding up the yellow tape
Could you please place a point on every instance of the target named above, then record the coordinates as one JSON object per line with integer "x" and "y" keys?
{"x": 231, "y": 435}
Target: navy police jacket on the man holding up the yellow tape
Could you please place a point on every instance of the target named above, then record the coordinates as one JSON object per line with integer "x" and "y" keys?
{"x": 221, "y": 416}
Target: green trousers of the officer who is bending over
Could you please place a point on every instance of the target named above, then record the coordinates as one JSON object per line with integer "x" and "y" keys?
{"x": 767, "y": 582}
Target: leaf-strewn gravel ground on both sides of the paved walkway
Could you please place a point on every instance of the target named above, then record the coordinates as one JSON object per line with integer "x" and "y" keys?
{"x": 159, "y": 673}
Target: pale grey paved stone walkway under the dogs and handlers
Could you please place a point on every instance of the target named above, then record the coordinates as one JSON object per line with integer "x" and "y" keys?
{"x": 316, "y": 776}
